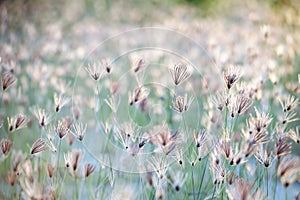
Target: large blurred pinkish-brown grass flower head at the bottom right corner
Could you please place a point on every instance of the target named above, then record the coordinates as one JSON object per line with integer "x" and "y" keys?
{"x": 288, "y": 170}
